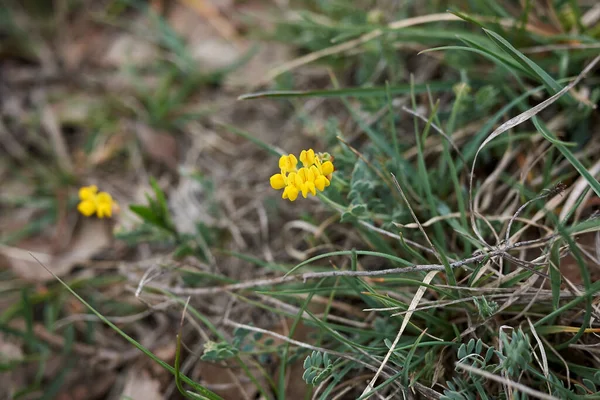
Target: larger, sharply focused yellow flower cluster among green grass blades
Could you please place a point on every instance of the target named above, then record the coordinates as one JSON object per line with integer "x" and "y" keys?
{"x": 314, "y": 175}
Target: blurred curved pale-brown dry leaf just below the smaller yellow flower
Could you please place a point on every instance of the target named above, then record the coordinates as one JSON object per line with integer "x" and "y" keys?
{"x": 91, "y": 236}
